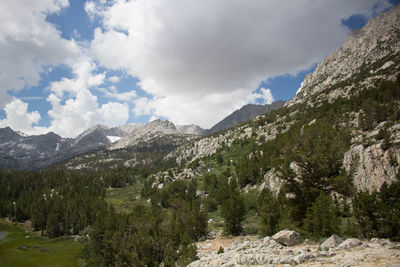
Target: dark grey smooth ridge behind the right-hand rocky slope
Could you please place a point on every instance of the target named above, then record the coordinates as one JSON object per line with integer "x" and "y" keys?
{"x": 246, "y": 113}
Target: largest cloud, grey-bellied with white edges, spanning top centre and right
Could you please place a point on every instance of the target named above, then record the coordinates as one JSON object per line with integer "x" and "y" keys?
{"x": 197, "y": 57}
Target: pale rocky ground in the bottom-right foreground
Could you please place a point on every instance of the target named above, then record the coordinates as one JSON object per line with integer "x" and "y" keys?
{"x": 253, "y": 251}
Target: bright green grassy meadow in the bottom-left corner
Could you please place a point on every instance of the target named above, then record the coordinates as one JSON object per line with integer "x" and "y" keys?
{"x": 17, "y": 250}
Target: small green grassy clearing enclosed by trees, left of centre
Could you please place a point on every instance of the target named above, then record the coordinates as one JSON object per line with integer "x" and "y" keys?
{"x": 126, "y": 198}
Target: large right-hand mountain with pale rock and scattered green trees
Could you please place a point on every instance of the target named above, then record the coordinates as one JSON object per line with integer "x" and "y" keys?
{"x": 354, "y": 91}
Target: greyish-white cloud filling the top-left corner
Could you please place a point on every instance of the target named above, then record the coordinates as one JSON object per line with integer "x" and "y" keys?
{"x": 28, "y": 43}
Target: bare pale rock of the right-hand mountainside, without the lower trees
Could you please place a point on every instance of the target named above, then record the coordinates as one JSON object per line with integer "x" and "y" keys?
{"x": 369, "y": 56}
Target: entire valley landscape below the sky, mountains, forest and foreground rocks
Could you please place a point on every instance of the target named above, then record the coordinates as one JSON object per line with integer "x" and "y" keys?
{"x": 321, "y": 167}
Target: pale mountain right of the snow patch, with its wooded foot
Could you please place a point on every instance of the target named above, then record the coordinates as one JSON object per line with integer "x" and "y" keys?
{"x": 141, "y": 145}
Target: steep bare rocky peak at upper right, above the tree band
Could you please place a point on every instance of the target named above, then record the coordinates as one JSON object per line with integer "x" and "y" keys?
{"x": 374, "y": 49}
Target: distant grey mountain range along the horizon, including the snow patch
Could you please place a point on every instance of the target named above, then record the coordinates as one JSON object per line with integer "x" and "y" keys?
{"x": 20, "y": 151}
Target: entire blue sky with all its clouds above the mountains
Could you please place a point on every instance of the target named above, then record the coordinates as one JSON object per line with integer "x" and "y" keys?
{"x": 66, "y": 66}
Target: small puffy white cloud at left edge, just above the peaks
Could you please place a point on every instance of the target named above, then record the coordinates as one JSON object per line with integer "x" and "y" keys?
{"x": 19, "y": 119}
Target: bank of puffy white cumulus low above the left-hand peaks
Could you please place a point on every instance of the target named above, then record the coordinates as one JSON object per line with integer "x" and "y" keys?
{"x": 74, "y": 108}
